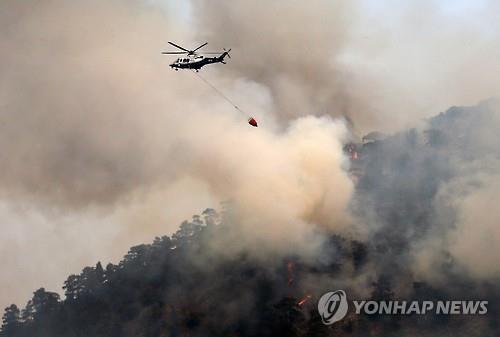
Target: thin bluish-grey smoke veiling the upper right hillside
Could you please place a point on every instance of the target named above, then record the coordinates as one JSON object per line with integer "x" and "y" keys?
{"x": 425, "y": 200}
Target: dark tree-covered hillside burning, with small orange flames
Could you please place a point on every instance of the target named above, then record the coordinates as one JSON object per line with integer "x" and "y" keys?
{"x": 182, "y": 286}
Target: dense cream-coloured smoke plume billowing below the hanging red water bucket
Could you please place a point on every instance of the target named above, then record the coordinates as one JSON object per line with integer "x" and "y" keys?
{"x": 277, "y": 184}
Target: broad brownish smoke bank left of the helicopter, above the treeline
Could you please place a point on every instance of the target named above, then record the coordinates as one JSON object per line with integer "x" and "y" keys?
{"x": 81, "y": 136}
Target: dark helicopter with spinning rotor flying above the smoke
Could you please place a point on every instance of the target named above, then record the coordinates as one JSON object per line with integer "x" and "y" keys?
{"x": 193, "y": 60}
